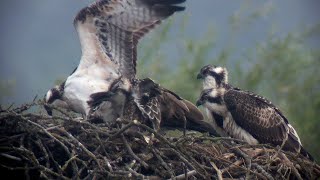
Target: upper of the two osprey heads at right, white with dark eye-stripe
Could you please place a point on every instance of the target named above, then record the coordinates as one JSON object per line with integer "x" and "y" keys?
{"x": 213, "y": 76}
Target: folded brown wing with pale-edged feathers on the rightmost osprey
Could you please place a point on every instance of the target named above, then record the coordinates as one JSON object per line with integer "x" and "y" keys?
{"x": 261, "y": 119}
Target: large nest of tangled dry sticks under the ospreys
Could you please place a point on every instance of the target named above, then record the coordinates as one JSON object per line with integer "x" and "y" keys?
{"x": 36, "y": 146}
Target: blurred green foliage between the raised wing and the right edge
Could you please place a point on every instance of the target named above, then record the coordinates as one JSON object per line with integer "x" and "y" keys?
{"x": 282, "y": 69}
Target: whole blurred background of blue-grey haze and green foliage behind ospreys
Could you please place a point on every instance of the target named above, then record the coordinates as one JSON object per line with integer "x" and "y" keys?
{"x": 269, "y": 47}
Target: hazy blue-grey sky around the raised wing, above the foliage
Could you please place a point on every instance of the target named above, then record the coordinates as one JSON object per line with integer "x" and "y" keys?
{"x": 39, "y": 44}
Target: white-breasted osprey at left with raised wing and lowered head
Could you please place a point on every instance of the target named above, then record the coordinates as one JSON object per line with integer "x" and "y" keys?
{"x": 108, "y": 32}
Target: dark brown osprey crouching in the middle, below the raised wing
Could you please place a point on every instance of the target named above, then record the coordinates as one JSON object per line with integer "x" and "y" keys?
{"x": 158, "y": 107}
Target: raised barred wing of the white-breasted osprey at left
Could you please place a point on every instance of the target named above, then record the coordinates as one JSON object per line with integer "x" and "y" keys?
{"x": 109, "y": 30}
